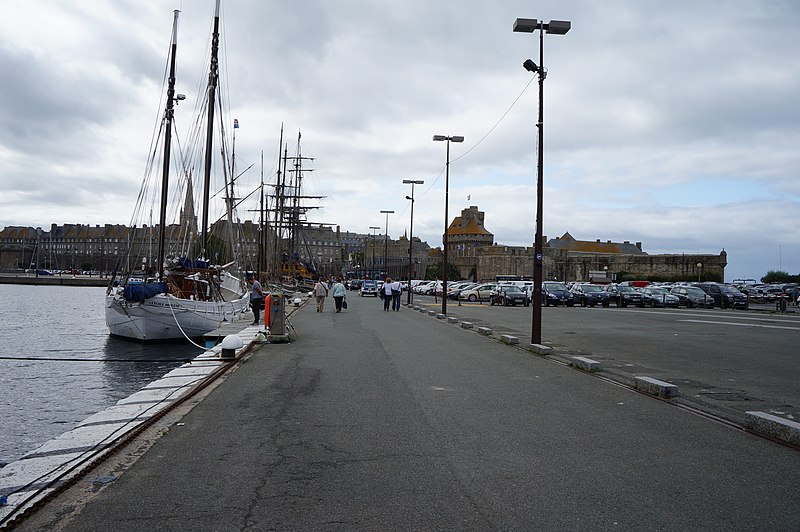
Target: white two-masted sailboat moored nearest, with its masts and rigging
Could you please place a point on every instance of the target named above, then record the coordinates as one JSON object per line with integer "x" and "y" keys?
{"x": 184, "y": 298}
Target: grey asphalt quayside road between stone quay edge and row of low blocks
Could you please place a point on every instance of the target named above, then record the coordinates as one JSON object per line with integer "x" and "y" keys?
{"x": 374, "y": 420}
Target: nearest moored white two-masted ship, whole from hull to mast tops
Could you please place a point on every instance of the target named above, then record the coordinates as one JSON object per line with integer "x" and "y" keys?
{"x": 194, "y": 283}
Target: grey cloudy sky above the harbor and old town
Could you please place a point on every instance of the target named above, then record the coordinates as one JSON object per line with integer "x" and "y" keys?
{"x": 676, "y": 124}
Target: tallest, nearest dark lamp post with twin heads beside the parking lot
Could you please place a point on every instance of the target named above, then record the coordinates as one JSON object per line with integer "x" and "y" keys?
{"x": 557, "y": 27}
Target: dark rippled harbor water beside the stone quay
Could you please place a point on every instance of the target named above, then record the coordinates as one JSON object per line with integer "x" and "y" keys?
{"x": 58, "y": 365}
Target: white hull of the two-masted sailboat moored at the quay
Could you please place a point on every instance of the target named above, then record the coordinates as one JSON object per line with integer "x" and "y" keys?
{"x": 166, "y": 317}
